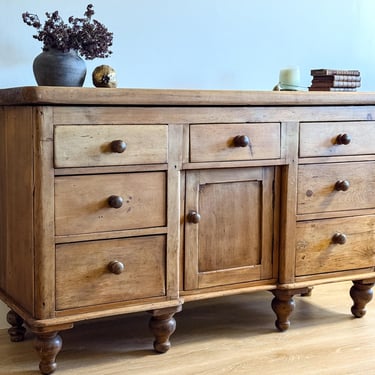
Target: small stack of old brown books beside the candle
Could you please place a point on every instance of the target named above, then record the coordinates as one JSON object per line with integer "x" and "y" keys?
{"x": 335, "y": 80}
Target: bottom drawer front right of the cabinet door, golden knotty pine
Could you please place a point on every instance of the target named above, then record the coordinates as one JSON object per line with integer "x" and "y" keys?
{"x": 317, "y": 252}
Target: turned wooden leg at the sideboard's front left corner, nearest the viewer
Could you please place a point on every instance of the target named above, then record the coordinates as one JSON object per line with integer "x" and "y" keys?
{"x": 47, "y": 345}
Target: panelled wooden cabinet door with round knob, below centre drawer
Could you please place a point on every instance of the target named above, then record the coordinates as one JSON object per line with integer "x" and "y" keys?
{"x": 229, "y": 226}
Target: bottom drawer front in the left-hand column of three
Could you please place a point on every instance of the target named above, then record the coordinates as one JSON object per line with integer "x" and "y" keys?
{"x": 85, "y": 272}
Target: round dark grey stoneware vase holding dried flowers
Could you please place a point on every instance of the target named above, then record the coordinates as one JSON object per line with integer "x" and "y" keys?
{"x": 57, "y": 68}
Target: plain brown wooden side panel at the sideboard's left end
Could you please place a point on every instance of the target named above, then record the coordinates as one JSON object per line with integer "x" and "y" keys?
{"x": 16, "y": 206}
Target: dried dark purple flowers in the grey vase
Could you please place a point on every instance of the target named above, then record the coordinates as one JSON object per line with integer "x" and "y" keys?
{"x": 88, "y": 37}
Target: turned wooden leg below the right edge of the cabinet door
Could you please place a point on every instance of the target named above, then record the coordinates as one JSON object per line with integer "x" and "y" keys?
{"x": 283, "y": 306}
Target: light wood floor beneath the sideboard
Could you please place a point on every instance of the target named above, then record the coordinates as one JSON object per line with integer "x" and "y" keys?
{"x": 231, "y": 335}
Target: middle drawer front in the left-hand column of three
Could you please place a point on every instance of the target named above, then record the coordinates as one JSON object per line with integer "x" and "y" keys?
{"x": 82, "y": 203}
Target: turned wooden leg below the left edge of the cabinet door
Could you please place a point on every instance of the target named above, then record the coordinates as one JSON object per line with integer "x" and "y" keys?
{"x": 162, "y": 325}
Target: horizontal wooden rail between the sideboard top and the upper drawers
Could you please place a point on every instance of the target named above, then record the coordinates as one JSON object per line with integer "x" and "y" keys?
{"x": 243, "y": 113}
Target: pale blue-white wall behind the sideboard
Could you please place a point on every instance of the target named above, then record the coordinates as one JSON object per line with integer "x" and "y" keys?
{"x": 207, "y": 44}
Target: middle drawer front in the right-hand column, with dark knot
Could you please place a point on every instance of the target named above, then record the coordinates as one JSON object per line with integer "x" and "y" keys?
{"x": 318, "y": 184}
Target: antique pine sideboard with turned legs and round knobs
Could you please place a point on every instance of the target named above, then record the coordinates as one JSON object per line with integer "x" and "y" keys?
{"x": 115, "y": 201}
